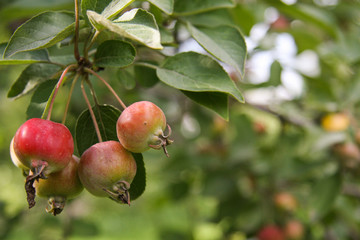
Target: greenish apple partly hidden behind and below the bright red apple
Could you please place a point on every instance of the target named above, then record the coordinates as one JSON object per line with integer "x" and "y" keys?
{"x": 60, "y": 186}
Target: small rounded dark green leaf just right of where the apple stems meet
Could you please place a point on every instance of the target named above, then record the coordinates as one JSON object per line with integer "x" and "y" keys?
{"x": 114, "y": 53}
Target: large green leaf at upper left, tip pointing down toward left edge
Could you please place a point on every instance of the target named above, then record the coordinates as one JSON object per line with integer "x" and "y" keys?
{"x": 41, "y": 31}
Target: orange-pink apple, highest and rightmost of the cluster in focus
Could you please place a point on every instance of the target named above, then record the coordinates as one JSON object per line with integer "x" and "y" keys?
{"x": 141, "y": 126}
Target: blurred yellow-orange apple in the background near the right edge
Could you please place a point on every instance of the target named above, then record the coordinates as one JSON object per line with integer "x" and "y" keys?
{"x": 335, "y": 122}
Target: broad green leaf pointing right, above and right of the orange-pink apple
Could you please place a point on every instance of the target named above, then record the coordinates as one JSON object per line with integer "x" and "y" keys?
{"x": 194, "y": 72}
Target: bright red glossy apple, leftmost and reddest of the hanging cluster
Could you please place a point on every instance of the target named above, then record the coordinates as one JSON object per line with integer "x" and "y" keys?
{"x": 43, "y": 142}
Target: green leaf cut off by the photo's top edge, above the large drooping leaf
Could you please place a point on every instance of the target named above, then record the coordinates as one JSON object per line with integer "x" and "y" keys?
{"x": 187, "y": 7}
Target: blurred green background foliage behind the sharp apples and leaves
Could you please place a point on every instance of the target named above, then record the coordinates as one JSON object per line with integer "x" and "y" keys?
{"x": 221, "y": 178}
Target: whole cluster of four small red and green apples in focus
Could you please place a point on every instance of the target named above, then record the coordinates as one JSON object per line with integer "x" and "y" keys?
{"x": 44, "y": 150}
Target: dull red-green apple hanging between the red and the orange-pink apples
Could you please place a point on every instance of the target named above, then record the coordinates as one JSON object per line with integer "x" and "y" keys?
{"x": 107, "y": 169}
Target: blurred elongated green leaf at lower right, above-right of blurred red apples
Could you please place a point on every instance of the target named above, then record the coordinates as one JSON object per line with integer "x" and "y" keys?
{"x": 324, "y": 194}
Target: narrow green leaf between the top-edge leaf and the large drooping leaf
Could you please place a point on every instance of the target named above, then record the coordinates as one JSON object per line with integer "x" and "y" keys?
{"x": 211, "y": 18}
